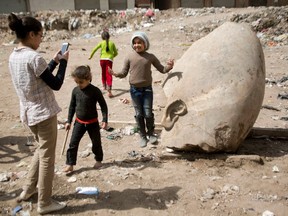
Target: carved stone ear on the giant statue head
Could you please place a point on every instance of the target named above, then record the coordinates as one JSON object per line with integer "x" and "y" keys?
{"x": 172, "y": 112}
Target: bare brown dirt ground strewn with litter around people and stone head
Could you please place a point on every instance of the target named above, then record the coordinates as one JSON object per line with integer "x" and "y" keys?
{"x": 150, "y": 181}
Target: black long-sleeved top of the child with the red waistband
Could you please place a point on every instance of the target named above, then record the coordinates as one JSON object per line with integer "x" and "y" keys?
{"x": 84, "y": 104}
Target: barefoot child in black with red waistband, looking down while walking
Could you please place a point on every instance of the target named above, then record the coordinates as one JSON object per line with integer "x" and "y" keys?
{"x": 84, "y": 98}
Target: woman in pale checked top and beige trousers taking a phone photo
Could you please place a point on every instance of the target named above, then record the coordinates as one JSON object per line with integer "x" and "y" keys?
{"x": 34, "y": 83}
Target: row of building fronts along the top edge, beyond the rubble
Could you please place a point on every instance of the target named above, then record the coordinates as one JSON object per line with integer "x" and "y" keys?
{"x": 7, "y": 6}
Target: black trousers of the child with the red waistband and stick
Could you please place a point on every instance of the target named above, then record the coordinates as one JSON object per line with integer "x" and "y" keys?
{"x": 79, "y": 130}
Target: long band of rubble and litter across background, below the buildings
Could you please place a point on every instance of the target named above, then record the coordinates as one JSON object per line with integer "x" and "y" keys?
{"x": 269, "y": 23}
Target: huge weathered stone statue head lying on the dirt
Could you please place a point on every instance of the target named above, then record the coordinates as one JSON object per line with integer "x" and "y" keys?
{"x": 215, "y": 91}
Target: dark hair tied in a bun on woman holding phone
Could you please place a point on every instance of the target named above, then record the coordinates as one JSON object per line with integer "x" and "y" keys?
{"x": 23, "y": 26}
